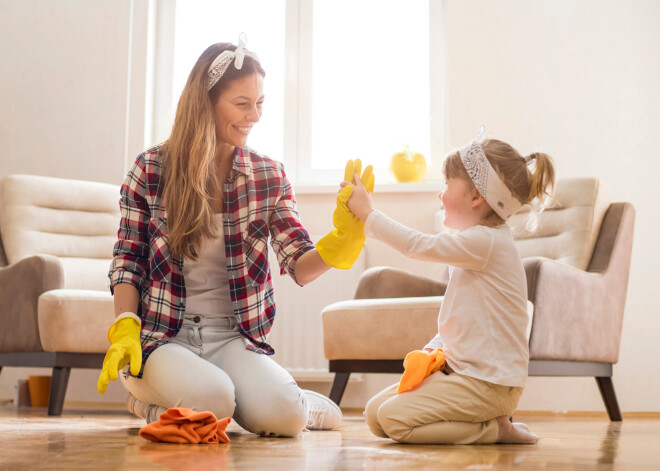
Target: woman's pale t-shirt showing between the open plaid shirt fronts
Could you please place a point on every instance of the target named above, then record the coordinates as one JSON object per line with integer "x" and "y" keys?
{"x": 206, "y": 279}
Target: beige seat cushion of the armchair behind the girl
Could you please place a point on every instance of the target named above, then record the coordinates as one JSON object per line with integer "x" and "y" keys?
{"x": 377, "y": 329}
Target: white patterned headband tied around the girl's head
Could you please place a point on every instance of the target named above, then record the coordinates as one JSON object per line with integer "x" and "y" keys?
{"x": 487, "y": 181}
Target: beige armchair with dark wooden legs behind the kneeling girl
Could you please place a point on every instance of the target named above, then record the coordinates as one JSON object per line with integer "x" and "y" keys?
{"x": 577, "y": 265}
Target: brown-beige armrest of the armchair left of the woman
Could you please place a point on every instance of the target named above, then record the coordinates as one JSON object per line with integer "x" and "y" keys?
{"x": 21, "y": 284}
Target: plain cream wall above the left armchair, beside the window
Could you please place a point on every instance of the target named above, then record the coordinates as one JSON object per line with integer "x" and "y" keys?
{"x": 69, "y": 108}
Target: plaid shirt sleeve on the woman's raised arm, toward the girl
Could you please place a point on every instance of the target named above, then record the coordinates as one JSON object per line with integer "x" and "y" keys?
{"x": 289, "y": 238}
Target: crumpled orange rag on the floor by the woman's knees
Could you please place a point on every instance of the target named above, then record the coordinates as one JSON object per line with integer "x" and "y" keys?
{"x": 181, "y": 425}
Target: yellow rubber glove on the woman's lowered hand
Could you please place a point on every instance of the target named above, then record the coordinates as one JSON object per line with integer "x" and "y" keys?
{"x": 124, "y": 337}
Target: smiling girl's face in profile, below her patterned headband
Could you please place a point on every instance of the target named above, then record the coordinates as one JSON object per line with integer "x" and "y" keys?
{"x": 458, "y": 198}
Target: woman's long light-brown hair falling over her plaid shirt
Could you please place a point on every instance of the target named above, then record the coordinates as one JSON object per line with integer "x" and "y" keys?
{"x": 189, "y": 155}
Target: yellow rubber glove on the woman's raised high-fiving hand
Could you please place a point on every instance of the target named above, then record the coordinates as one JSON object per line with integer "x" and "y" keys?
{"x": 342, "y": 246}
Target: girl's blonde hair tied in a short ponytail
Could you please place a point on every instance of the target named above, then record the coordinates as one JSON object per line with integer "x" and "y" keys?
{"x": 525, "y": 184}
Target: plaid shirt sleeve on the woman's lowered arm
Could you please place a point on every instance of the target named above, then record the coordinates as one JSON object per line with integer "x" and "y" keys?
{"x": 131, "y": 251}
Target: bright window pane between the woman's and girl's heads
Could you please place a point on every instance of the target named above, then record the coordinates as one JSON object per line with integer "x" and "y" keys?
{"x": 370, "y": 84}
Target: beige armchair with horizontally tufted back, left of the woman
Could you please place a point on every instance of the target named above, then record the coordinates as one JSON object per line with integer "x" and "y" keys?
{"x": 55, "y": 250}
